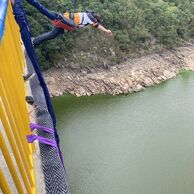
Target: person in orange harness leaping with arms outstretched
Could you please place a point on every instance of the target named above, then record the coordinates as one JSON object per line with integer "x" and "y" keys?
{"x": 70, "y": 22}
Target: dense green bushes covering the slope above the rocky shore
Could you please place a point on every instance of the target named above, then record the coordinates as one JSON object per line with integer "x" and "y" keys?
{"x": 137, "y": 25}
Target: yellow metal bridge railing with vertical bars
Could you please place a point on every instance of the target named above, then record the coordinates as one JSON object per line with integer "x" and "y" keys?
{"x": 14, "y": 119}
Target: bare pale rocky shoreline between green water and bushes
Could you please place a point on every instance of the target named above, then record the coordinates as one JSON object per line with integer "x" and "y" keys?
{"x": 133, "y": 75}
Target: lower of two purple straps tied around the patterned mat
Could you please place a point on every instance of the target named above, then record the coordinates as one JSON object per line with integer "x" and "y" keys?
{"x": 32, "y": 138}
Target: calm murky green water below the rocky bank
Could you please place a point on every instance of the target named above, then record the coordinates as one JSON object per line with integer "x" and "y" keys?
{"x": 141, "y": 143}
